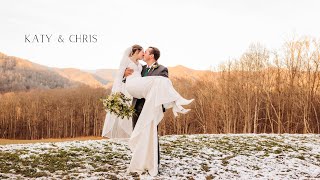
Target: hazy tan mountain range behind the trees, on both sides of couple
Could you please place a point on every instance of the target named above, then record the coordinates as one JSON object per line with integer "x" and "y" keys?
{"x": 21, "y": 74}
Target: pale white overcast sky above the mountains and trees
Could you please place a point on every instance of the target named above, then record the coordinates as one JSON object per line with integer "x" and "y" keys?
{"x": 199, "y": 34}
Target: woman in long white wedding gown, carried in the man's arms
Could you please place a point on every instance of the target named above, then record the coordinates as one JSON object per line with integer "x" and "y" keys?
{"x": 157, "y": 91}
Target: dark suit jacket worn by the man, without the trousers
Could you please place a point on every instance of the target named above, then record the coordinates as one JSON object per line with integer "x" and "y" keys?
{"x": 156, "y": 70}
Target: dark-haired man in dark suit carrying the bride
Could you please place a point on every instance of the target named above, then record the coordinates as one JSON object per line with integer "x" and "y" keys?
{"x": 152, "y": 68}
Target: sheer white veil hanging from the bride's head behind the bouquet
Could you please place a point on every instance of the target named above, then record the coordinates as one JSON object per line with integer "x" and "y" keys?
{"x": 115, "y": 127}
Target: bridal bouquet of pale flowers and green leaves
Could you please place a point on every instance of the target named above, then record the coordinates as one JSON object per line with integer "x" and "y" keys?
{"x": 118, "y": 104}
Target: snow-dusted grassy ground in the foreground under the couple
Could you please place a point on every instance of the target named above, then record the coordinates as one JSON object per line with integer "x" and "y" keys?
{"x": 227, "y": 156}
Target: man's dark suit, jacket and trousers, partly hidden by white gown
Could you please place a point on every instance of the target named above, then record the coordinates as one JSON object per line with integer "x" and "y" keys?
{"x": 155, "y": 70}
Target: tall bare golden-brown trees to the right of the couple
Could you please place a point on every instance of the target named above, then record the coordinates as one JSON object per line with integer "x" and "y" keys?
{"x": 261, "y": 92}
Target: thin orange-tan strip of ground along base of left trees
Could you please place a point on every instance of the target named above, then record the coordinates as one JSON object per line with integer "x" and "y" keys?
{"x": 15, "y": 141}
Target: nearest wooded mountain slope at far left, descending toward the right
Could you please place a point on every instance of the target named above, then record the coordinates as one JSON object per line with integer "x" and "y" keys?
{"x": 18, "y": 74}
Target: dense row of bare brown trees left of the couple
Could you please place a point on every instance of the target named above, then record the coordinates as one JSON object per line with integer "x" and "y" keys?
{"x": 53, "y": 113}
